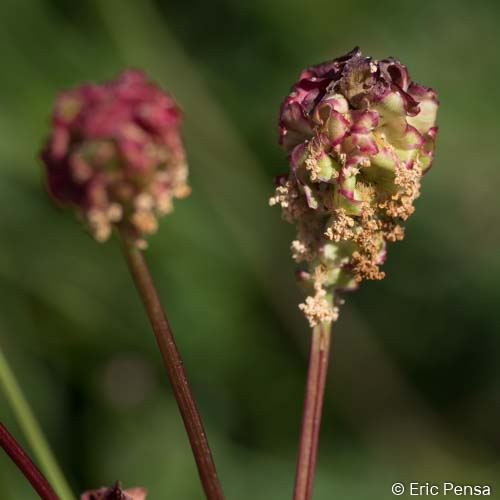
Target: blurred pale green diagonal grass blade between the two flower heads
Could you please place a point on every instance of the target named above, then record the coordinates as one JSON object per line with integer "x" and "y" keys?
{"x": 237, "y": 195}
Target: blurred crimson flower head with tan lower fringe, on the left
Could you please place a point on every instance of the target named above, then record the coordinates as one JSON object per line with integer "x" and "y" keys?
{"x": 115, "y": 154}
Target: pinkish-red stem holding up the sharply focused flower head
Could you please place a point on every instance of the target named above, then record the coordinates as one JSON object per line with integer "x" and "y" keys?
{"x": 313, "y": 405}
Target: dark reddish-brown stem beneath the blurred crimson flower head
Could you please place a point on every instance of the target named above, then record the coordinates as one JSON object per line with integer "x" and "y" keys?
{"x": 173, "y": 365}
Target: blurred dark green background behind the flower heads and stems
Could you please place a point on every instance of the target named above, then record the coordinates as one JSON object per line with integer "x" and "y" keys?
{"x": 413, "y": 392}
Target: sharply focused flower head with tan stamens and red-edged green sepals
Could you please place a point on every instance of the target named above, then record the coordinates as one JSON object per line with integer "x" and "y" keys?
{"x": 359, "y": 135}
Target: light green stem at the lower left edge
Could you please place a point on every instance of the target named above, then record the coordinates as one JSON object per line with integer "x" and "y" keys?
{"x": 32, "y": 430}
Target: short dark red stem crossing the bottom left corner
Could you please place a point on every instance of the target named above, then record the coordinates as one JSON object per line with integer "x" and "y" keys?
{"x": 26, "y": 466}
